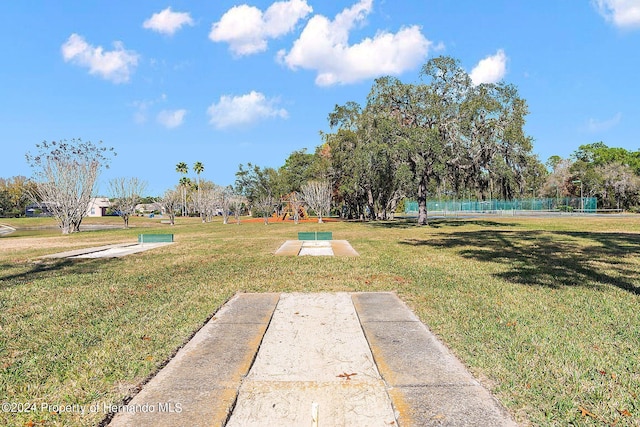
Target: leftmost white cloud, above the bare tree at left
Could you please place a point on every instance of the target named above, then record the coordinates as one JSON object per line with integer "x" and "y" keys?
{"x": 115, "y": 65}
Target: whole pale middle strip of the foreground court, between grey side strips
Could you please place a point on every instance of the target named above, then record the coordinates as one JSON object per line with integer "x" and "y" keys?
{"x": 313, "y": 354}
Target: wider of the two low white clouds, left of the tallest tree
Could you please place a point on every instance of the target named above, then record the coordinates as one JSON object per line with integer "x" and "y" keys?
{"x": 244, "y": 109}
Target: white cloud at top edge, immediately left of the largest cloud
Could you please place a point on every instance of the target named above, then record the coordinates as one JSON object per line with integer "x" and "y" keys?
{"x": 246, "y": 28}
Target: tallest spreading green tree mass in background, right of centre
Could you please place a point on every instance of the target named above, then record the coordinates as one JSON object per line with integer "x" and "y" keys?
{"x": 442, "y": 136}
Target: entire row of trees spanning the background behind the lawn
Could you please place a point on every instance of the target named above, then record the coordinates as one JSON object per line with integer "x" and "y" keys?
{"x": 442, "y": 137}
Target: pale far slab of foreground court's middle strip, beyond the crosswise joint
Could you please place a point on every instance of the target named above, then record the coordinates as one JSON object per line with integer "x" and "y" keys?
{"x": 313, "y": 337}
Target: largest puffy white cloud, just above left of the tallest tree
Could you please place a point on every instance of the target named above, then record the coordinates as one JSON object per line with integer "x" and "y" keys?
{"x": 324, "y": 46}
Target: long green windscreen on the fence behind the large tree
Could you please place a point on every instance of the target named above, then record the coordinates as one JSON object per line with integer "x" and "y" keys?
{"x": 566, "y": 204}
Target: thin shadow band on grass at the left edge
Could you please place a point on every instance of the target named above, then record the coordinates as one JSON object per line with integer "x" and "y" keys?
{"x": 16, "y": 274}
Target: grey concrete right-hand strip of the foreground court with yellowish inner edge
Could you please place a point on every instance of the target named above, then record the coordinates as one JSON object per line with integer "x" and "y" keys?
{"x": 429, "y": 385}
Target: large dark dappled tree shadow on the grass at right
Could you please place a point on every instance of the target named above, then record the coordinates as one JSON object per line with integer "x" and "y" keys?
{"x": 552, "y": 259}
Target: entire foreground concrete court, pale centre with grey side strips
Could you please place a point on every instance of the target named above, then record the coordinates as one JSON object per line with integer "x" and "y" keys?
{"x": 329, "y": 359}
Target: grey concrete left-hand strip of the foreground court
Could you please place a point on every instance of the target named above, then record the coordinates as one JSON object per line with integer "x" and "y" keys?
{"x": 199, "y": 386}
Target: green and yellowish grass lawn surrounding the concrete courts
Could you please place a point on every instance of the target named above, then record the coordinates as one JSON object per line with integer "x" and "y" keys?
{"x": 545, "y": 312}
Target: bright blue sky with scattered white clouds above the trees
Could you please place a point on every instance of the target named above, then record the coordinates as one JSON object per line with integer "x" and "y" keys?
{"x": 225, "y": 82}
